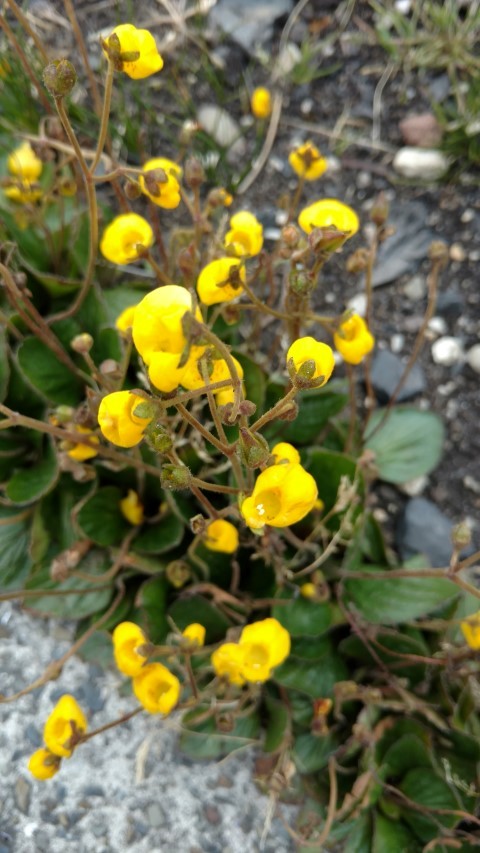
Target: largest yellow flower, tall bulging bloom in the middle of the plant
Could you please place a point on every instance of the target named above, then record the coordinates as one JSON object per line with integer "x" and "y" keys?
{"x": 159, "y": 336}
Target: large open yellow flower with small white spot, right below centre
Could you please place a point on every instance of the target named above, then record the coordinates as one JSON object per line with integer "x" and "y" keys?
{"x": 282, "y": 495}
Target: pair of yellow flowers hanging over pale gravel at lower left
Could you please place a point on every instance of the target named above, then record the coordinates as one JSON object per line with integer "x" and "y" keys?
{"x": 63, "y": 731}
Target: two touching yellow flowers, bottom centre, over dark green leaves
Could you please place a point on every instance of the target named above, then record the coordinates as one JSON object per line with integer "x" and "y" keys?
{"x": 262, "y": 646}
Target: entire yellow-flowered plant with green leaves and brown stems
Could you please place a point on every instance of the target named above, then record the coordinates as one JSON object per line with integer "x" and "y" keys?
{"x": 187, "y": 463}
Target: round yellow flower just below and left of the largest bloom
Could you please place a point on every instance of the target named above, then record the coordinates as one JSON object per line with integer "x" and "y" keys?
{"x": 118, "y": 421}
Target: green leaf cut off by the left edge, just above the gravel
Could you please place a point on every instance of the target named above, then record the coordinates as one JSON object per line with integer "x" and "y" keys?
{"x": 15, "y": 560}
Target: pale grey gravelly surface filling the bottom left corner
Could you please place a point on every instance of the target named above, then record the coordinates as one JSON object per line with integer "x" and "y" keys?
{"x": 127, "y": 789}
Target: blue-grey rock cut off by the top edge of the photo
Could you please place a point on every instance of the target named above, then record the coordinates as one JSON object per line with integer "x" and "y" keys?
{"x": 250, "y": 22}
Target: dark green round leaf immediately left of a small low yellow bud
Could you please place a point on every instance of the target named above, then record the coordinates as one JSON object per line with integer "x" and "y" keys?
{"x": 100, "y": 517}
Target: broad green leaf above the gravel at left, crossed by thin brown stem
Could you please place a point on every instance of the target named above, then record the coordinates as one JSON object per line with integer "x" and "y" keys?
{"x": 90, "y": 597}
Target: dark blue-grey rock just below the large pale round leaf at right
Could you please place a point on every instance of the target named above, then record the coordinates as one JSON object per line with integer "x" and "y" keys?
{"x": 423, "y": 529}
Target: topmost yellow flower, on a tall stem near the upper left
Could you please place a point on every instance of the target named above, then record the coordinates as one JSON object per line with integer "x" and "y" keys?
{"x": 128, "y": 40}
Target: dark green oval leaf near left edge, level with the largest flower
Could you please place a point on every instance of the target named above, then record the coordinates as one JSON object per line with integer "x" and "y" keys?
{"x": 48, "y": 375}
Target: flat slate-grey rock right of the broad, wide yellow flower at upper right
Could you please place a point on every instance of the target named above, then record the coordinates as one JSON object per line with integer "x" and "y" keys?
{"x": 404, "y": 250}
